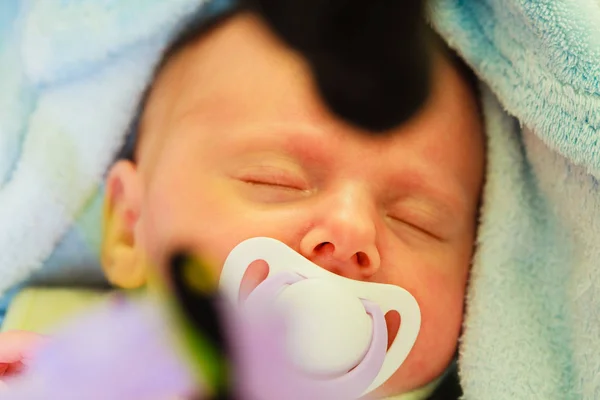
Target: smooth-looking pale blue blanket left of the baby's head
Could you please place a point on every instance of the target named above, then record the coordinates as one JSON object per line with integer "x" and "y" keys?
{"x": 71, "y": 74}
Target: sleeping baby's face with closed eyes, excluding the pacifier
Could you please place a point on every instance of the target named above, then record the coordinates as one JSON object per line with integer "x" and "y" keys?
{"x": 237, "y": 144}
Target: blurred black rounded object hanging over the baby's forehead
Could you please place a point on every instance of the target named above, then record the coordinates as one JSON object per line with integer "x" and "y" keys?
{"x": 371, "y": 59}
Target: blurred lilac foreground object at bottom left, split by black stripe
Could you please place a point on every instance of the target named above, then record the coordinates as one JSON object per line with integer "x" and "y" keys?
{"x": 125, "y": 351}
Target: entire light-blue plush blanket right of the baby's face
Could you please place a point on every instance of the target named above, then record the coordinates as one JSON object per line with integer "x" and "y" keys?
{"x": 532, "y": 328}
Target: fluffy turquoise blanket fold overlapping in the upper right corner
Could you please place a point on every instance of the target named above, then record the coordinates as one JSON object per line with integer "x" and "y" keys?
{"x": 541, "y": 58}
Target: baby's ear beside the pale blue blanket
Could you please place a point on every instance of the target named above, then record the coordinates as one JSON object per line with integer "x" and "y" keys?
{"x": 121, "y": 255}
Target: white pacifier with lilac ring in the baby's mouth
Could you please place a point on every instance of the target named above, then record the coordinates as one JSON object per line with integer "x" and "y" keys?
{"x": 337, "y": 332}
